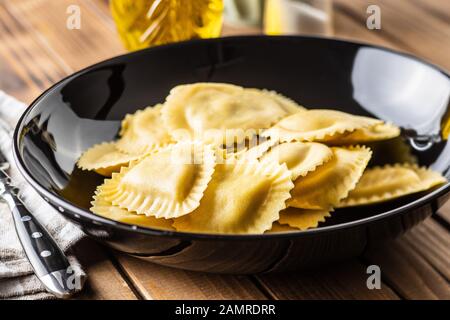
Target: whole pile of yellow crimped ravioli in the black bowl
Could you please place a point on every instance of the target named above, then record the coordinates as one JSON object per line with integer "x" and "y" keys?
{"x": 220, "y": 158}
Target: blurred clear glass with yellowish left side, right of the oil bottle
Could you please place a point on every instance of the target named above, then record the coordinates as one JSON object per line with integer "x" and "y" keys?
{"x": 298, "y": 17}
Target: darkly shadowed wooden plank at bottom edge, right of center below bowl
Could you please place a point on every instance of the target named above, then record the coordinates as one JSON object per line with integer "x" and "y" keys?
{"x": 340, "y": 281}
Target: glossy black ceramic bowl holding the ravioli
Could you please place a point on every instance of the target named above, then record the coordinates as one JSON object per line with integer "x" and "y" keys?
{"x": 86, "y": 108}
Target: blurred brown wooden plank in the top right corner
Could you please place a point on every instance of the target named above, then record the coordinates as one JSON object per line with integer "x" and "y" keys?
{"x": 406, "y": 24}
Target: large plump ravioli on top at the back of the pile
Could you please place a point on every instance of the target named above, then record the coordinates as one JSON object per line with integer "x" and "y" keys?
{"x": 222, "y": 113}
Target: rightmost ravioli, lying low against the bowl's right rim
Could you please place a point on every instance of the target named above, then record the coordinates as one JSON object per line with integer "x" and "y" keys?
{"x": 391, "y": 181}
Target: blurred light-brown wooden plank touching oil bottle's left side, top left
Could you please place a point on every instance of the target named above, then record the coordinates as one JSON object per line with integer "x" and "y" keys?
{"x": 93, "y": 42}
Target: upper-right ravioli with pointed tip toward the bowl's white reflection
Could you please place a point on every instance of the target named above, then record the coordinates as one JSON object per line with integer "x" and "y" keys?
{"x": 317, "y": 125}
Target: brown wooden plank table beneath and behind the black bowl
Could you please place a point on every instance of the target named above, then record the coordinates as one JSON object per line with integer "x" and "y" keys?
{"x": 36, "y": 50}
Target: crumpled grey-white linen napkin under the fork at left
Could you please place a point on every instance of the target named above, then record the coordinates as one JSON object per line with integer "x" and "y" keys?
{"x": 17, "y": 280}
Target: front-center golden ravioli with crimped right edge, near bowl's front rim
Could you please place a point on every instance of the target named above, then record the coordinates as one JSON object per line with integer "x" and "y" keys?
{"x": 243, "y": 197}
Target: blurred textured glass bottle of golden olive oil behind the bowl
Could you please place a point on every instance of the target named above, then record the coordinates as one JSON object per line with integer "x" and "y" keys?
{"x": 145, "y": 23}
